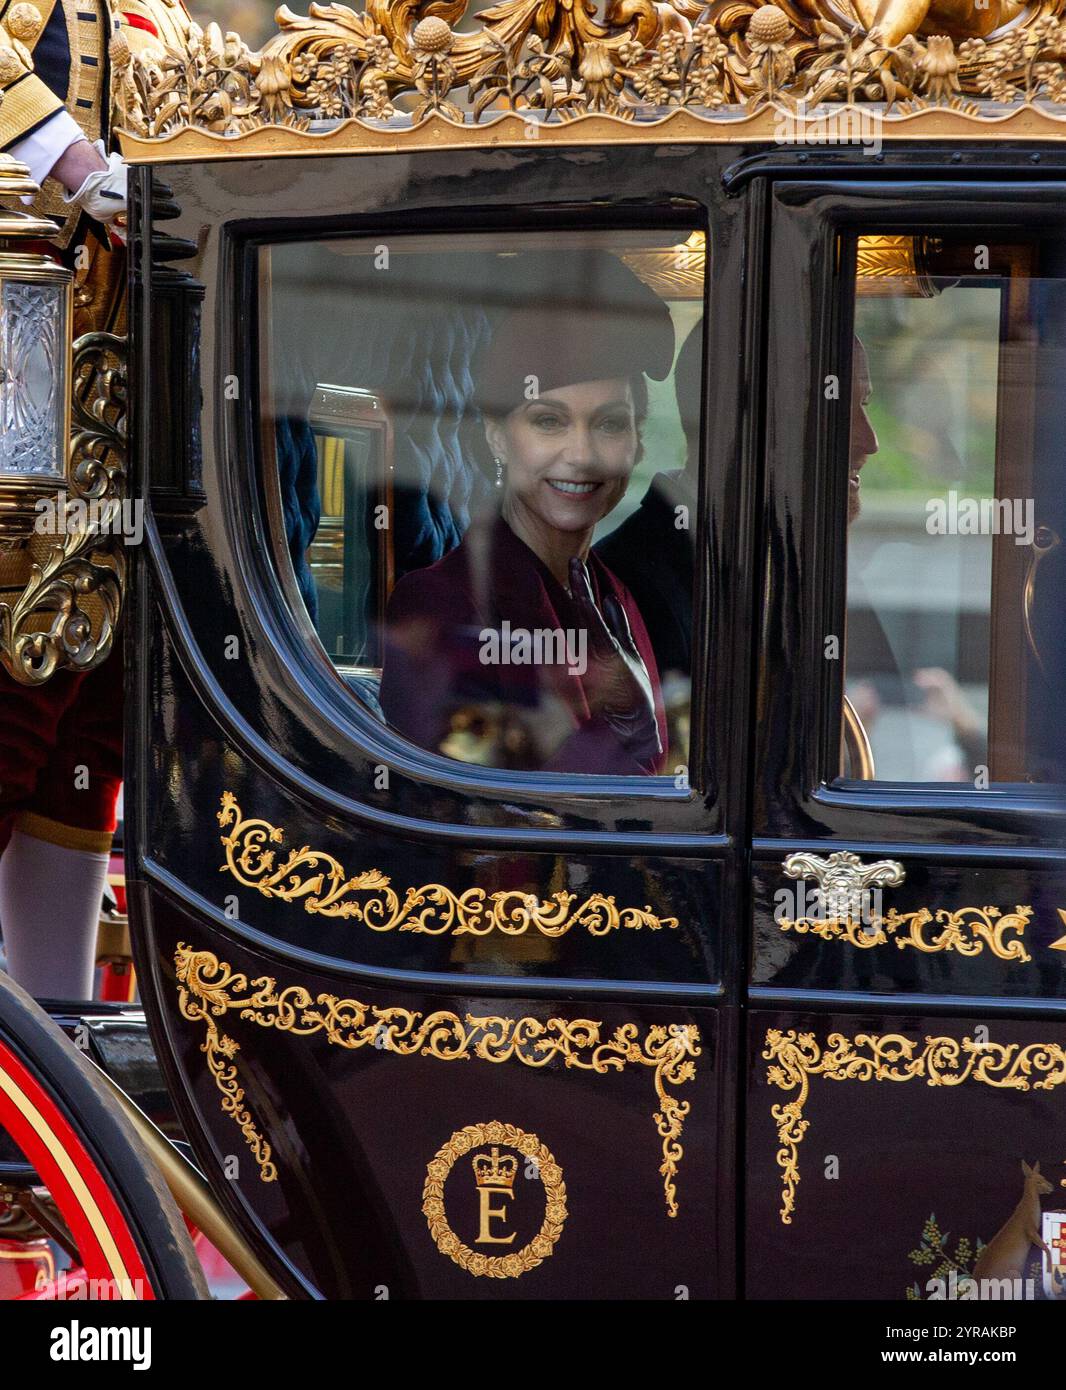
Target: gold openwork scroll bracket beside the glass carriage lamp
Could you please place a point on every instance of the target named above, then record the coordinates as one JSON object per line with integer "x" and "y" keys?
{"x": 69, "y": 611}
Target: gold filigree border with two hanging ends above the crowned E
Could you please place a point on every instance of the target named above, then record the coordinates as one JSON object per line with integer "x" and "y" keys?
{"x": 209, "y": 989}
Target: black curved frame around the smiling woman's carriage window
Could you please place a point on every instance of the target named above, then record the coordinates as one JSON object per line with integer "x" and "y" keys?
{"x": 297, "y": 635}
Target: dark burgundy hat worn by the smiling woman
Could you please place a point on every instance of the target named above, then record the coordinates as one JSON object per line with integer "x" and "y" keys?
{"x": 580, "y": 316}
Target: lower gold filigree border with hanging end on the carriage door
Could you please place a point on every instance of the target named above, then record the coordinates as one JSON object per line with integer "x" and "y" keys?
{"x": 890, "y": 1057}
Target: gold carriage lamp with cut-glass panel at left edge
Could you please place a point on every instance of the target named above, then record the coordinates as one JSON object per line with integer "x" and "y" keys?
{"x": 35, "y": 357}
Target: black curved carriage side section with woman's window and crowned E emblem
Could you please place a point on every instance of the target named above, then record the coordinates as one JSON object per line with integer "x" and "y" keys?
{"x": 438, "y": 947}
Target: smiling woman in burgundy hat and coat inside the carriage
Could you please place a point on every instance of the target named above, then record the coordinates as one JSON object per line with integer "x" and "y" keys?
{"x": 562, "y": 397}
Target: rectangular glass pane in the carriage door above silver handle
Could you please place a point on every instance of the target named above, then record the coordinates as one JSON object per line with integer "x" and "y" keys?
{"x": 957, "y": 514}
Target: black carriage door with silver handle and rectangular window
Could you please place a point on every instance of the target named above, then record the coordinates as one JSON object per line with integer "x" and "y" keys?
{"x": 907, "y": 1043}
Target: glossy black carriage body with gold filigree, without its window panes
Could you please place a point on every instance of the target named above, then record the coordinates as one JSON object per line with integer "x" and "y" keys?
{"x": 355, "y": 988}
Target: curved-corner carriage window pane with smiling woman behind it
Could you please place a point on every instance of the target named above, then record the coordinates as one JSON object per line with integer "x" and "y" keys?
{"x": 486, "y": 502}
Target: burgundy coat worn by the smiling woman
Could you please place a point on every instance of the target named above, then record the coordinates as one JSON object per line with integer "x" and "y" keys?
{"x": 470, "y": 643}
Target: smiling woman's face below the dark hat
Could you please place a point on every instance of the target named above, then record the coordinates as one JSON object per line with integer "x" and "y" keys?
{"x": 568, "y": 457}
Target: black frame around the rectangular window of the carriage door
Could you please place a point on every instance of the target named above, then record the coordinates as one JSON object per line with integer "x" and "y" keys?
{"x": 843, "y": 227}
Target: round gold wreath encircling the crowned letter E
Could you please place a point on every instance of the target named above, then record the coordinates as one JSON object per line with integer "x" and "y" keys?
{"x": 516, "y": 1263}
